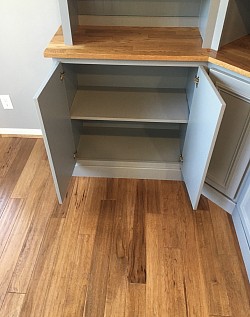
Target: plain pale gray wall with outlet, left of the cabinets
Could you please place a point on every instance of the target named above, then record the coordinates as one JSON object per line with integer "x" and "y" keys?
{"x": 26, "y": 27}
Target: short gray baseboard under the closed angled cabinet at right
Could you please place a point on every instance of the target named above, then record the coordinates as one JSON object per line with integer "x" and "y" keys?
{"x": 218, "y": 198}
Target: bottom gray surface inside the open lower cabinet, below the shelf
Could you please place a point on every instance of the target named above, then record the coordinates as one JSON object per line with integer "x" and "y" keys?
{"x": 126, "y": 148}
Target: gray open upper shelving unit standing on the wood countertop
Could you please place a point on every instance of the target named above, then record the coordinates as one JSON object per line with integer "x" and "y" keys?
{"x": 207, "y": 16}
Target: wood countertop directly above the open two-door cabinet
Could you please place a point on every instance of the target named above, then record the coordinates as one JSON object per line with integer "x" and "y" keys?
{"x": 130, "y": 43}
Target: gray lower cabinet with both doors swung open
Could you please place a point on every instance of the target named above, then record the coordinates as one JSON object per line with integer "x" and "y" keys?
{"x": 155, "y": 115}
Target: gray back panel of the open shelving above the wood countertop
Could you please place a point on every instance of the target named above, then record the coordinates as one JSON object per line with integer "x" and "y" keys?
{"x": 180, "y": 8}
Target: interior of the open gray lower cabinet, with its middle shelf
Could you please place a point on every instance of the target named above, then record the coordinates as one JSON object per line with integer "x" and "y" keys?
{"x": 129, "y": 114}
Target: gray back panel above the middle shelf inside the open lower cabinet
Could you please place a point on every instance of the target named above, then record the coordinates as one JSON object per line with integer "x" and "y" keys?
{"x": 135, "y": 76}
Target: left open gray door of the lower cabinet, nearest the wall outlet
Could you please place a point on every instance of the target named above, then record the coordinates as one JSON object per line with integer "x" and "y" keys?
{"x": 53, "y": 111}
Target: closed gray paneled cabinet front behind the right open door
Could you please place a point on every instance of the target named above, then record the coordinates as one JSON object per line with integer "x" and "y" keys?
{"x": 232, "y": 151}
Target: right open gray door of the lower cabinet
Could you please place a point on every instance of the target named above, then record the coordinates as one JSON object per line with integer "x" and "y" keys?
{"x": 204, "y": 121}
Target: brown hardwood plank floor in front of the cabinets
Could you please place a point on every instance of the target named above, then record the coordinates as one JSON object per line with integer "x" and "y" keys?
{"x": 116, "y": 247}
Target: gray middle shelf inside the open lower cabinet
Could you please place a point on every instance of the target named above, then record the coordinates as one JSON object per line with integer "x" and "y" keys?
{"x": 149, "y": 105}
